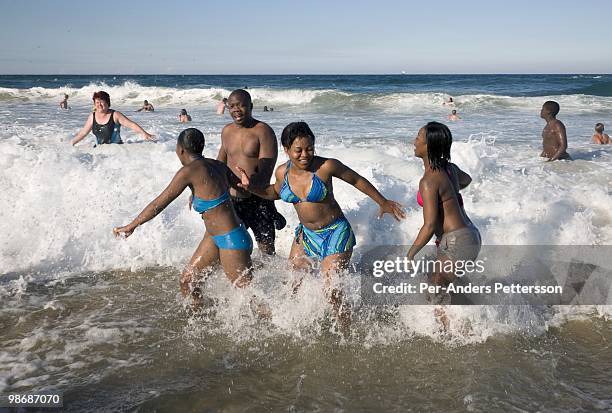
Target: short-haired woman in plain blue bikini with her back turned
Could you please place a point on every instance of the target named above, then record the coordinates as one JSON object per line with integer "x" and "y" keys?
{"x": 226, "y": 239}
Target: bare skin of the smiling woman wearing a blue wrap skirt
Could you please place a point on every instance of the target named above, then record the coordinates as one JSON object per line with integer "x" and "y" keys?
{"x": 316, "y": 215}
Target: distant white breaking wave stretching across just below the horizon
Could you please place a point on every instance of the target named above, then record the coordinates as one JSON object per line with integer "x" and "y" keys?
{"x": 132, "y": 93}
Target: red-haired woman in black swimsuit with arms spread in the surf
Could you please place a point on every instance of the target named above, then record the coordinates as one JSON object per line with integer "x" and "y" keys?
{"x": 106, "y": 123}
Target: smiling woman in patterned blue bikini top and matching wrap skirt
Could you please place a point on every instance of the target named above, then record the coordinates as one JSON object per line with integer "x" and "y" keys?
{"x": 306, "y": 182}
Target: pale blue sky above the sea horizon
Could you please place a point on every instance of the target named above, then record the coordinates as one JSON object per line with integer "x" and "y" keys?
{"x": 275, "y": 37}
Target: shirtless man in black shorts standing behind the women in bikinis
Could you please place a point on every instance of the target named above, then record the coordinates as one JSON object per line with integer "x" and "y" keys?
{"x": 251, "y": 144}
